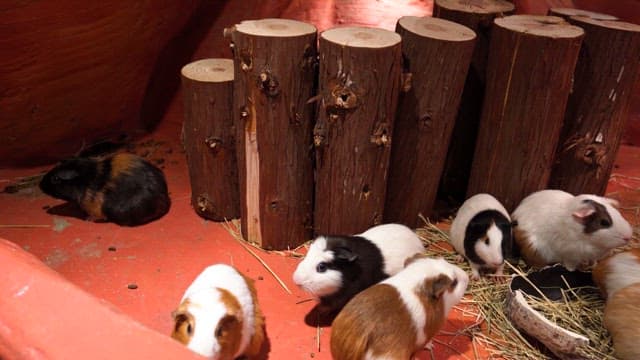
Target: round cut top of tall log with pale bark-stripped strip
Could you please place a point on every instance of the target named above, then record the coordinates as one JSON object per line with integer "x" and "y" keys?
{"x": 275, "y": 28}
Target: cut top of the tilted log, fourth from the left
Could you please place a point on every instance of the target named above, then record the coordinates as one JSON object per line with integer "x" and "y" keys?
{"x": 435, "y": 28}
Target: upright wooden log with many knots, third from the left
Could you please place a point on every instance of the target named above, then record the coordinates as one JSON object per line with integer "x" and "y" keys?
{"x": 359, "y": 84}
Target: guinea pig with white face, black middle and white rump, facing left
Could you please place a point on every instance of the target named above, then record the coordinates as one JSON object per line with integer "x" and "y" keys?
{"x": 338, "y": 267}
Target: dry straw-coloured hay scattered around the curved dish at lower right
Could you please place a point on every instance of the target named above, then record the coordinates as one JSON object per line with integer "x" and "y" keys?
{"x": 497, "y": 334}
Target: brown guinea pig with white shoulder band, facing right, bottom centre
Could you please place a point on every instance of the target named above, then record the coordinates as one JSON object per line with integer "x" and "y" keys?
{"x": 400, "y": 315}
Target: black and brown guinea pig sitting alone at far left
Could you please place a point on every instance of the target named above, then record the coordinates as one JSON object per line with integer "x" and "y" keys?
{"x": 122, "y": 188}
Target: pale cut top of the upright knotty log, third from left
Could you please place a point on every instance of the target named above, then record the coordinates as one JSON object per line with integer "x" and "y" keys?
{"x": 362, "y": 37}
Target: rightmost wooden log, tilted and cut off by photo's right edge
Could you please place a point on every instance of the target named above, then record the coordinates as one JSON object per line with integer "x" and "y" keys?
{"x": 598, "y": 108}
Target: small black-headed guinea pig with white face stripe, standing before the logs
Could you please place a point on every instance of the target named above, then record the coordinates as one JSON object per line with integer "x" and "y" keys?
{"x": 481, "y": 232}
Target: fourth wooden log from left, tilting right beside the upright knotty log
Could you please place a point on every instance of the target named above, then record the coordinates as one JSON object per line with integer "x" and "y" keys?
{"x": 437, "y": 54}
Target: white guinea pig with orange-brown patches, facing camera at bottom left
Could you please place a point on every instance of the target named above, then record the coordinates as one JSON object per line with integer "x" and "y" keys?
{"x": 219, "y": 316}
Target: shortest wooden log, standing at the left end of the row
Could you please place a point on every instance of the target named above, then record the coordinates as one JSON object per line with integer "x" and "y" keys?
{"x": 208, "y": 136}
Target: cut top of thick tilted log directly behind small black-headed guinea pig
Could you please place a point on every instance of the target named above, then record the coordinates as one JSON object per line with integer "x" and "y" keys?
{"x": 544, "y": 26}
